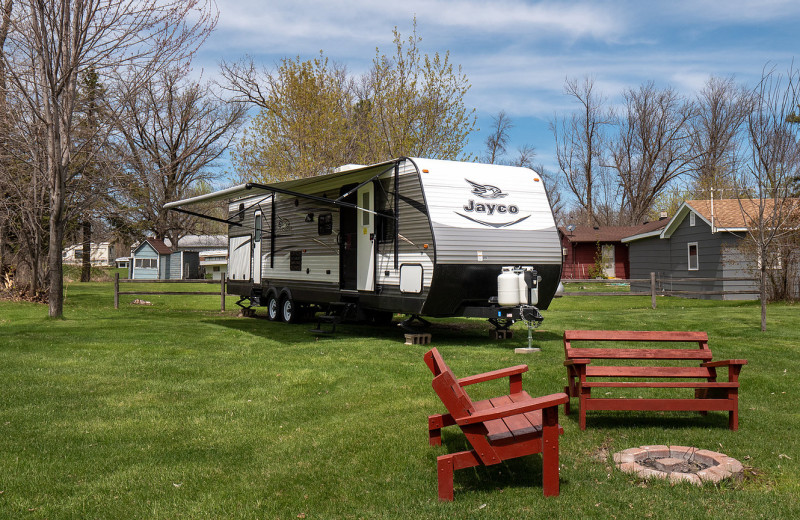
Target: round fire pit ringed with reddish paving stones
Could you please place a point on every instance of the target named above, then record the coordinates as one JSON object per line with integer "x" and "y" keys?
{"x": 678, "y": 463}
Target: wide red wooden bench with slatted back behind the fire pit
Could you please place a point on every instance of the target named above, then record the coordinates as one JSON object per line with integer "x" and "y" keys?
{"x": 643, "y": 368}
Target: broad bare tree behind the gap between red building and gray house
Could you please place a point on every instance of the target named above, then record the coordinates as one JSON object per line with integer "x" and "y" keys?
{"x": 652, "y": 148}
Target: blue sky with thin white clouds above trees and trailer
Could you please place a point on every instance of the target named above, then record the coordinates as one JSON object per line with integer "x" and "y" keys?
{"x": 517, "y": 53}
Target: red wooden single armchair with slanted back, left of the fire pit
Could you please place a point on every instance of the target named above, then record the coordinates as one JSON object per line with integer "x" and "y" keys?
{"x": 498, "y": 429}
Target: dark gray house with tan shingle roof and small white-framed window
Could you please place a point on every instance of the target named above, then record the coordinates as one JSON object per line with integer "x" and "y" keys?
{"x": 700, "y": 242}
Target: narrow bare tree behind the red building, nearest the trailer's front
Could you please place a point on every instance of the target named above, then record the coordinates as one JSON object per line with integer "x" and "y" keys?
{"x": 579, "y": 141}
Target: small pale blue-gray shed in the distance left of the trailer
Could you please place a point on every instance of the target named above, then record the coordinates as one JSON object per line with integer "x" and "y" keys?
{"x": 152, "y": 259}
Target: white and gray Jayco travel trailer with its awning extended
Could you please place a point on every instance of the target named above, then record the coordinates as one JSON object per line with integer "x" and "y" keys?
{"x": 421, "y": 237}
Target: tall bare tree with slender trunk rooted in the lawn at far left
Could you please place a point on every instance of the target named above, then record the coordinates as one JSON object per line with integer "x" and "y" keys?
{"x": 51, "y": 42}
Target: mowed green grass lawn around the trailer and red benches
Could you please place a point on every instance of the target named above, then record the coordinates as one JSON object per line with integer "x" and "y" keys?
{"x": 179, "y": 411}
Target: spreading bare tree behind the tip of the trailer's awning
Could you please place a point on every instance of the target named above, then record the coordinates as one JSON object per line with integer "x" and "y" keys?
{"x": 171, "y": 132}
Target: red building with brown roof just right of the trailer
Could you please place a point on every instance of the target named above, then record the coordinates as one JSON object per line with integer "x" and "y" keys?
{"x": 587, "y": 248}
